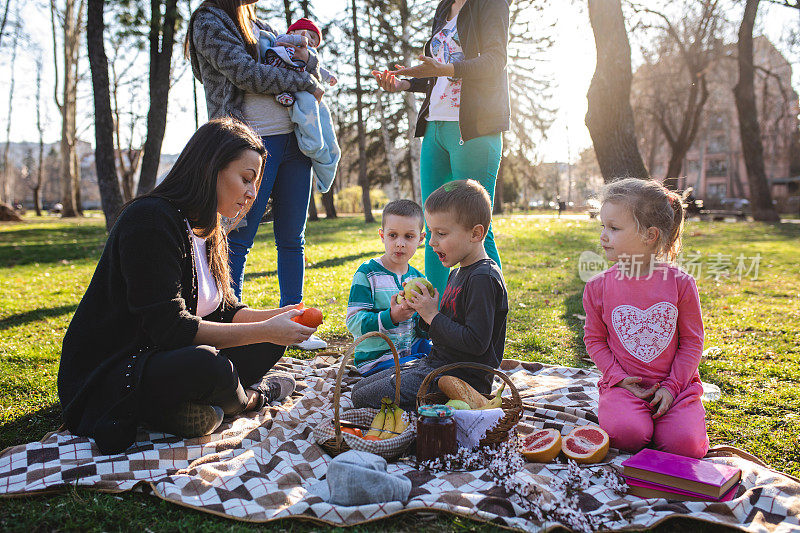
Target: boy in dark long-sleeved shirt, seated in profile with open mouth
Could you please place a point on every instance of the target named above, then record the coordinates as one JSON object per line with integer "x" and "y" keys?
{"x": 470, "y": 325}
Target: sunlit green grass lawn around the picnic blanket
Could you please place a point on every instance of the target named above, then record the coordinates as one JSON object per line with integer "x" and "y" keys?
{"x": 46, "y": 264}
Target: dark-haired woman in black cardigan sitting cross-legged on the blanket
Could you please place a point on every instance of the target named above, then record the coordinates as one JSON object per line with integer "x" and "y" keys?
{"x": 136, "y": 350}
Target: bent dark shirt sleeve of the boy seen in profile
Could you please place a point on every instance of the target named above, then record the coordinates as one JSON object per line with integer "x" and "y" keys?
{"x": 472, "y": 338}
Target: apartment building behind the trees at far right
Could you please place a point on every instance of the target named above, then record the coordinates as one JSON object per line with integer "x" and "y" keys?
{"x": 714, "y": 166}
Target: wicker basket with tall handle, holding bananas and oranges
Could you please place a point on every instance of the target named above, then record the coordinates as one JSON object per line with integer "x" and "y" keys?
{"x": 329, "y": 434}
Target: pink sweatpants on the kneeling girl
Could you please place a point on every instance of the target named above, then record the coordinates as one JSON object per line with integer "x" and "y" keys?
{"x": 629, "y": 422}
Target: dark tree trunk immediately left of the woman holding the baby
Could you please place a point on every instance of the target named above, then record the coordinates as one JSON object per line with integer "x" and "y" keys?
{"x": 162, "y": 39}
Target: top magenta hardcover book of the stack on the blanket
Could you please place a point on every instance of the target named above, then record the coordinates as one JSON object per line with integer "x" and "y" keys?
{"x": 684, "y": 473}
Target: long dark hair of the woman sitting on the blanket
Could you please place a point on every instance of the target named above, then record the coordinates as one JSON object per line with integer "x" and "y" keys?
{"x": 191, "y": 186}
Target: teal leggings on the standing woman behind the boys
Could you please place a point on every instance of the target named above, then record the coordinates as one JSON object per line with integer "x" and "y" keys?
{"x": 445, "y": 158}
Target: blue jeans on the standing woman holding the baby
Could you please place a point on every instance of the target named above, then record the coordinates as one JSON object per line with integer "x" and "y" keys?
{"x": 287, "y": 178}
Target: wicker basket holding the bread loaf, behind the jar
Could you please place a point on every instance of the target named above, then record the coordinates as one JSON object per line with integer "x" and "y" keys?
{"x": 512, "y": 407}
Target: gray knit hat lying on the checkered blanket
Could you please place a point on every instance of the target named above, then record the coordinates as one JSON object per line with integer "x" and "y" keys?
{"x": 359, "y": 478}
